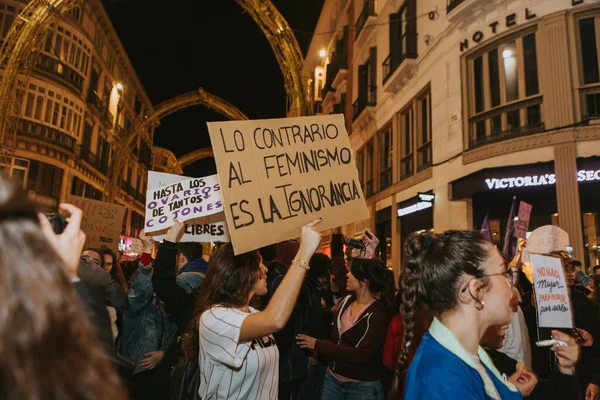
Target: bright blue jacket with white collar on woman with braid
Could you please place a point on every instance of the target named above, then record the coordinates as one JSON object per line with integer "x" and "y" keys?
{"x": 443, "y": 370}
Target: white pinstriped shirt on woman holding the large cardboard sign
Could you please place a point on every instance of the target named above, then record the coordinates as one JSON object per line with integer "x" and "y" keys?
{"x": 233, "y": 370}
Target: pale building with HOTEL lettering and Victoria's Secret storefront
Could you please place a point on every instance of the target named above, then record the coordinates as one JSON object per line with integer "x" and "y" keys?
{"x": 455, "y": 107}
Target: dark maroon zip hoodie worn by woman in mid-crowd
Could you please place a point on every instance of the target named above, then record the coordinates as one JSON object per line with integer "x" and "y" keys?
{"x": 357, "y": 353}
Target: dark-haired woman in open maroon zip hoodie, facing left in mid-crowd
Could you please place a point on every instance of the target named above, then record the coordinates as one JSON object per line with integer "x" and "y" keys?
{"x": 355, "y": 347}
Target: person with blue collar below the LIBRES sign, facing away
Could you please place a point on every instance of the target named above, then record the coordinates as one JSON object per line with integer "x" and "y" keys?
{"x": 191, "y": 265}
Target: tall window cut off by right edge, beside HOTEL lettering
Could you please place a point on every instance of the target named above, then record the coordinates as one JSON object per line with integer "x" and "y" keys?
{"x": 588, "y": 67}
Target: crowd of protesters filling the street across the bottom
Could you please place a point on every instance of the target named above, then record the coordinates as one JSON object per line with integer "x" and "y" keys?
{"x": 283, "y": 322}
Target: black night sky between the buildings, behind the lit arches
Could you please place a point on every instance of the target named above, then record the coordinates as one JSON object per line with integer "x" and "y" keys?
{"x": 181, "y": 45}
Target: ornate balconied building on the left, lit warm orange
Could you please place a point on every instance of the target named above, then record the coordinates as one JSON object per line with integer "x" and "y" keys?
{"x": 82, "y": 96}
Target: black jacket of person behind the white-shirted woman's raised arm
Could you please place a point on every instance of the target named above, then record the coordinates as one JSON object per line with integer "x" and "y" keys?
{"x": 293, "y": 360}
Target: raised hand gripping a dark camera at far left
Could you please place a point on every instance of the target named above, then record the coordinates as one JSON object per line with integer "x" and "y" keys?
{"x": 69, "y": 244}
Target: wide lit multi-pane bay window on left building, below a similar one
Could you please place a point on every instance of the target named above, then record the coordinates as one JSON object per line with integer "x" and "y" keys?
{"x": 60, "y": 112}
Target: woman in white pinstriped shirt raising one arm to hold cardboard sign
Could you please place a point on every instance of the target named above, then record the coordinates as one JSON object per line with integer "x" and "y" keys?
{"x": 234, "y": 341}
